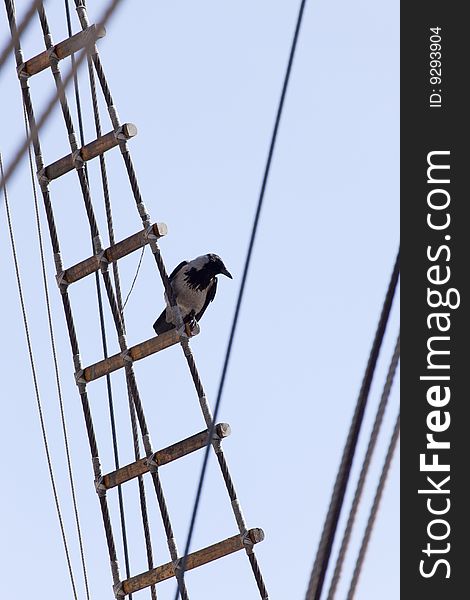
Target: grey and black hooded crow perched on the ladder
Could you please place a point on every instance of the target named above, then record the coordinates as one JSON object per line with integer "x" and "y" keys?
{"x": 194, "y": 284}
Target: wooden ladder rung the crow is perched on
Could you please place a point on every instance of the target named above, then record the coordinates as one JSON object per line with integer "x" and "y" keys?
{"x": 142, "y": 350}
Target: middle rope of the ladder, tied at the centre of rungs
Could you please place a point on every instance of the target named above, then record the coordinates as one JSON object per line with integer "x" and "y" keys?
{"x": 111, "y": 297}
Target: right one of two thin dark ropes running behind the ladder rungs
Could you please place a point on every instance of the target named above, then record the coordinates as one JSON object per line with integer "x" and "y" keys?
{"x": 117, "y": 286}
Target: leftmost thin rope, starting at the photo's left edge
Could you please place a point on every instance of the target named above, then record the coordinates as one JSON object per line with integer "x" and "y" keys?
{"x": 36, "y": 387}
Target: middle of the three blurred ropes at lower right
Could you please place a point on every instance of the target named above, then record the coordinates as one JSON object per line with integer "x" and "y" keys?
{"x": 364, "y": 470}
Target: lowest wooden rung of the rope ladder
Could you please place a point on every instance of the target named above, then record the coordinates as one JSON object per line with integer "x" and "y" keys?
{"x": 194, "y": 560}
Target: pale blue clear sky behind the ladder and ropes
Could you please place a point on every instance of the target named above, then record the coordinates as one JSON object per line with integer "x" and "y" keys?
{"x": 202, "y": 81}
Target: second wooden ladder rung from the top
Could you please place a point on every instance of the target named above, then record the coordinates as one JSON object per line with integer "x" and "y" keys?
{"x": 88, "y": 152}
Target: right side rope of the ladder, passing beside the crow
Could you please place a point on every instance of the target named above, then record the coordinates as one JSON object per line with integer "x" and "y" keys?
{"x": 81, "y": 10}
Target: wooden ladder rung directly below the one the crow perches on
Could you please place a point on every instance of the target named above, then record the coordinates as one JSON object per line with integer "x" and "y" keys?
{"x": 163, "y": 457}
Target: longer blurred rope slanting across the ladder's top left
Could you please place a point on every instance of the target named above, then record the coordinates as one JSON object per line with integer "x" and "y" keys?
{"x": 22, "y": 148}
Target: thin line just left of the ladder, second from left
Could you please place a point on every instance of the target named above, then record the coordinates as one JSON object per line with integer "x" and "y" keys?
{"x": 56, "y": 364}
